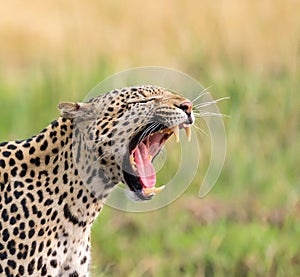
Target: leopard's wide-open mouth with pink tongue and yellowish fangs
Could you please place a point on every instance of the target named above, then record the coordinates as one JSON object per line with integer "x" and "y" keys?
{"x": 138, "y": 170}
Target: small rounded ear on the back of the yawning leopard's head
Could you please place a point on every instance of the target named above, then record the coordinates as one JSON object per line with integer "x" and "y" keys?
{"x": 79, "y": 110}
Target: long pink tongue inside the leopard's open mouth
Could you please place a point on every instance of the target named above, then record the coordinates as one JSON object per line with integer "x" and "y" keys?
{"x": 144, "y": 166}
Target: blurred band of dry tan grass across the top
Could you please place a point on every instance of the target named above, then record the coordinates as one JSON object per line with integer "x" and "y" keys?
{"x": 259, "y": 34}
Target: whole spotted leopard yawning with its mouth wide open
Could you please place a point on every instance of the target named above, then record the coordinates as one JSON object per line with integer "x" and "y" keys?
{"x": 54, "y": 184}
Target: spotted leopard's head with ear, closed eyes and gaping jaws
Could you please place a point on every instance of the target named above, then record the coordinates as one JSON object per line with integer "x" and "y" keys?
{"x": 125, "y": 130}
